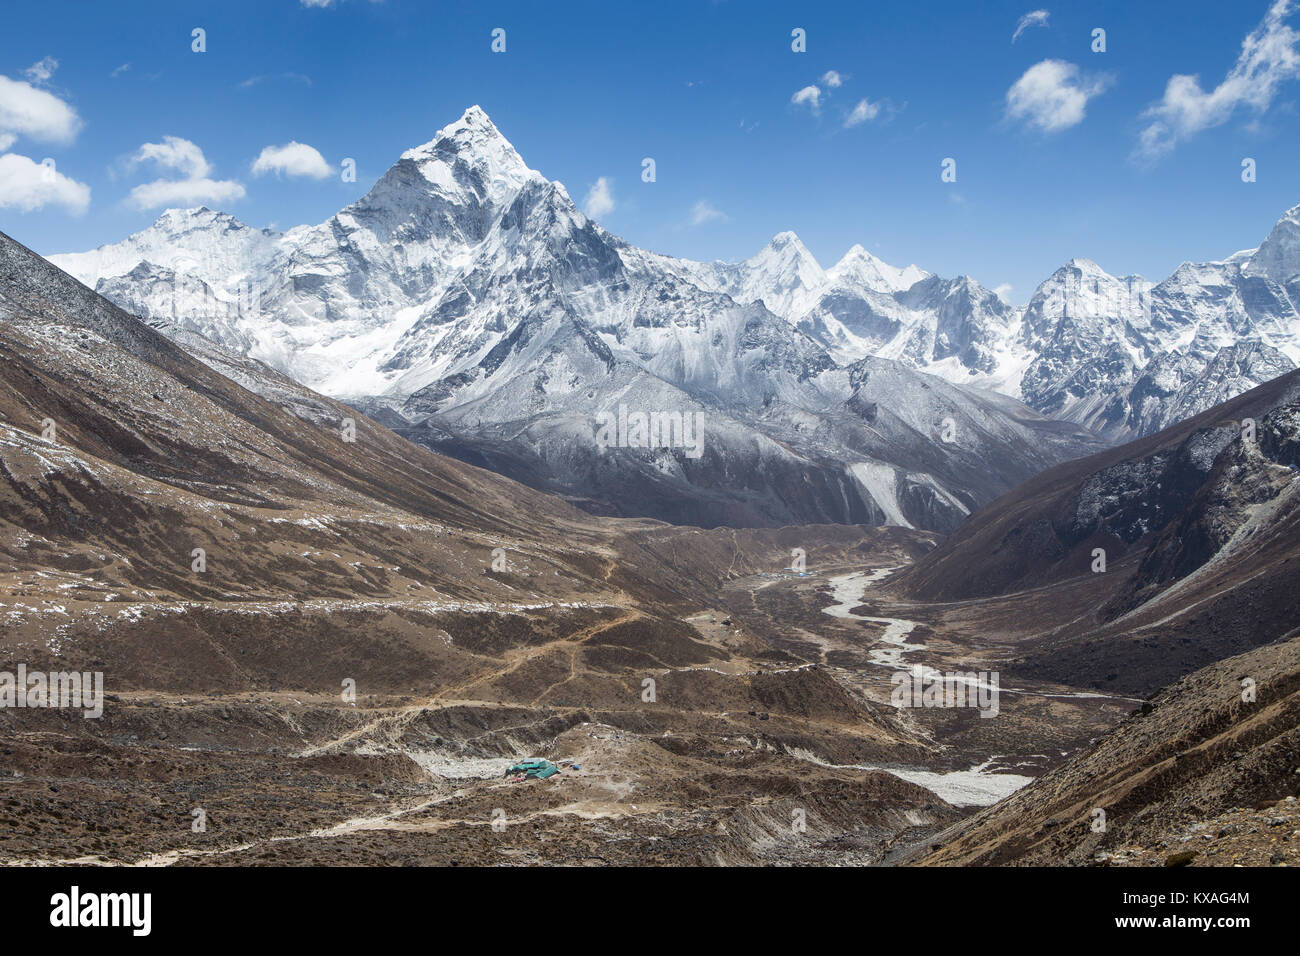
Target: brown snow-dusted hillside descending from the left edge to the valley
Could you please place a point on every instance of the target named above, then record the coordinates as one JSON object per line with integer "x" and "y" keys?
{"x": 157, "y": 455}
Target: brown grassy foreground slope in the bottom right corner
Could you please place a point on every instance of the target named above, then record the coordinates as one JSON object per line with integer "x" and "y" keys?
{"x": 1194, "y": 752}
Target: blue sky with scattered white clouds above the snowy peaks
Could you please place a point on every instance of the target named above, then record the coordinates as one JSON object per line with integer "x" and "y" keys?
{"x": 587, "y": 90}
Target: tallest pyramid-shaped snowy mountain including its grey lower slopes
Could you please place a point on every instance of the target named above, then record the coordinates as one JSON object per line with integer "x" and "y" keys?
{"x": 469, "y": 304}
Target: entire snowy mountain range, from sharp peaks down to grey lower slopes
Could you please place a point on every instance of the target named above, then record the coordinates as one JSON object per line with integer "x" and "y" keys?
{"x": 470, "y": 305}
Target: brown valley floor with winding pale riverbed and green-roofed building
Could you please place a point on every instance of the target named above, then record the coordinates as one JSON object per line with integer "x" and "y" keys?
{"x": 770, "y": 739}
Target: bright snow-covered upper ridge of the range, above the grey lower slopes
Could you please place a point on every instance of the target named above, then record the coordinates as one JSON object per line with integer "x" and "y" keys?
{"x": 388, "y": 297}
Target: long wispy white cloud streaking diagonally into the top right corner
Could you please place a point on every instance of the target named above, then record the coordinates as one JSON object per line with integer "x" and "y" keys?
{"x": 1271, "y": 55}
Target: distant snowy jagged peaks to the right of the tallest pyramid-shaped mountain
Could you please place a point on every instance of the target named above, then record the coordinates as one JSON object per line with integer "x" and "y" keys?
{"x": 1123, "y": 356}
